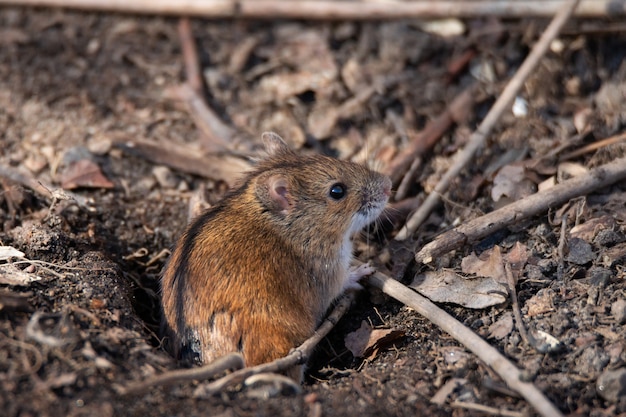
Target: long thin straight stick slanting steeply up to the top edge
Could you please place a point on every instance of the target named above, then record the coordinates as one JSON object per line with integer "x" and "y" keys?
{"x": 478, "y": 138}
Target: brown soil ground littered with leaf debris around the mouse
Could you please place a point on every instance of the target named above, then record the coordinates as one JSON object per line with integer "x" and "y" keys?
{"x": 80, "y": 318}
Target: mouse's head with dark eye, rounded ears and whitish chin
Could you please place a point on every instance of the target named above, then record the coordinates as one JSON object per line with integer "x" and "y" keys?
{"x": 318, "y": 196}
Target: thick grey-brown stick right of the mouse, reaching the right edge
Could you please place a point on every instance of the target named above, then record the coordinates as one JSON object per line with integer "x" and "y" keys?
{"x": 522, "y": 209}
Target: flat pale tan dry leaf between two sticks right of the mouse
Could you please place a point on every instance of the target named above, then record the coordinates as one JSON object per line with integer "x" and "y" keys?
{"x": 449, "y": 287}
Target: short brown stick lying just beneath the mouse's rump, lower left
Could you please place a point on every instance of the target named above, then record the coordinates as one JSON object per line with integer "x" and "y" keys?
{"x": 220, "y": 365}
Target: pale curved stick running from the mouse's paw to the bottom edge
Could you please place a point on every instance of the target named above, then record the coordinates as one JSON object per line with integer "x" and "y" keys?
{"x": 483, "y": 350}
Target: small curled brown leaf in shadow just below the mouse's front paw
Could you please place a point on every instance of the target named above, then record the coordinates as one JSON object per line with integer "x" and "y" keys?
{"x": 367, "y": 342}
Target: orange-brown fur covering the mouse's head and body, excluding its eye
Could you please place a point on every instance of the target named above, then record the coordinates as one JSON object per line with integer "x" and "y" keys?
{"x": 257, "y": 272}
